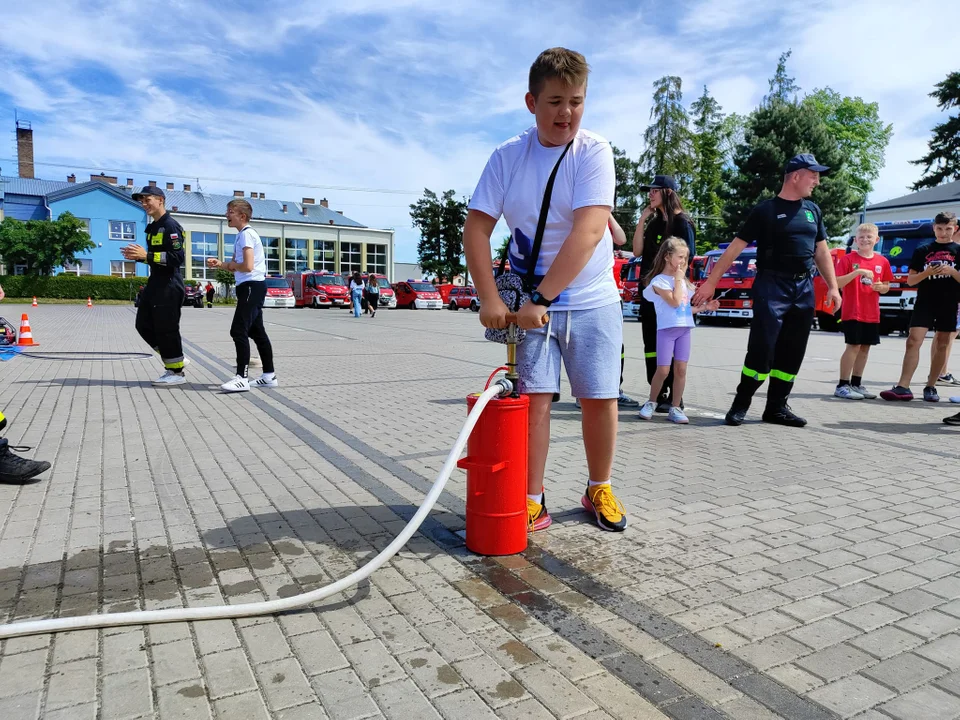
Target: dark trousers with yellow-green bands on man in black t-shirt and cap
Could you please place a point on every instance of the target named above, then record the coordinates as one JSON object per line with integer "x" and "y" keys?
{"x": 783, "y": 309}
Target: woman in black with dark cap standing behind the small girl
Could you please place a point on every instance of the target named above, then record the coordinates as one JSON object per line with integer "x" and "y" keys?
{"x": 662, "y": 218}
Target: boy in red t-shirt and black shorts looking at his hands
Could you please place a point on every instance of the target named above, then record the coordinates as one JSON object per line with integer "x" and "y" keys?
{"x": 864, "y": 275}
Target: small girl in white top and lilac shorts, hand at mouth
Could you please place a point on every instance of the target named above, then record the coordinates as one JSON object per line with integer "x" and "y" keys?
{"x": 670, "y": 291}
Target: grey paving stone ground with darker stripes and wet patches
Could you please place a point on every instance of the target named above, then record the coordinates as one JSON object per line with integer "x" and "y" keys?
{"x": 766, "y": 573}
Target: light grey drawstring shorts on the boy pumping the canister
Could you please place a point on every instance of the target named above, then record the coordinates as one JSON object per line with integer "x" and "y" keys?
{"x": 588, "y": 342}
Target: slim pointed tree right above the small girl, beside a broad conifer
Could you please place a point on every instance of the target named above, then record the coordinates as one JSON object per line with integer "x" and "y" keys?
{"x": 708, "y": 157}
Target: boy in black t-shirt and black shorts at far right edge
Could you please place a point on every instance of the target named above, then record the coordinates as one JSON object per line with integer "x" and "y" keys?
{"x": 933, "y": 270}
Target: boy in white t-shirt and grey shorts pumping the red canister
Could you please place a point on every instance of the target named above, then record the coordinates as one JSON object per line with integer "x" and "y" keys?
{"x": 573, "y": 274}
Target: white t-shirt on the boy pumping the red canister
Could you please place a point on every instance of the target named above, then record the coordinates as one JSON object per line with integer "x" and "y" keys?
{"x": 512, "y": 186}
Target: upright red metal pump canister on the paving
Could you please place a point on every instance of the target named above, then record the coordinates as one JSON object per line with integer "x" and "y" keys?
{"x": 496, "y": 465}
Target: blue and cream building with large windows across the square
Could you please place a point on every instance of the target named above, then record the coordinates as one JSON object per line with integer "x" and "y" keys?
{"x": 297, "y": 236}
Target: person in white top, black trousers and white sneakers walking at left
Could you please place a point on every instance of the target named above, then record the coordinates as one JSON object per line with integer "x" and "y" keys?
{"x": 250, "y": 268}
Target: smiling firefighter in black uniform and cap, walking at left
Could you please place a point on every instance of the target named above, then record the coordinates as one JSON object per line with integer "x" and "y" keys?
{"x": 158, "y": 314}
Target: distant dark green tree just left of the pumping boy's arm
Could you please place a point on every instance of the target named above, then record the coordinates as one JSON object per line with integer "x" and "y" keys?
{"x": 440, "y": 222}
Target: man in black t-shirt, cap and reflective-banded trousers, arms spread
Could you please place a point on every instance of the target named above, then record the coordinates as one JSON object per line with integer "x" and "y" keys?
{"x": 790, "y": 237}
